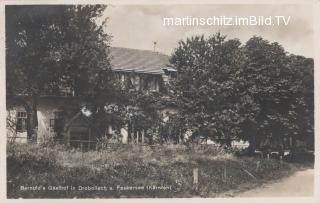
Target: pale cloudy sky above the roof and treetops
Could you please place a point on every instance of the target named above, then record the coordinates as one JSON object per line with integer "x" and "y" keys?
{"x": 138, "y": 26}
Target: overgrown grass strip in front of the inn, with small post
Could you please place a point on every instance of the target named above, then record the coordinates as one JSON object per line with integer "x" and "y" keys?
{"x": 128, "y": 171}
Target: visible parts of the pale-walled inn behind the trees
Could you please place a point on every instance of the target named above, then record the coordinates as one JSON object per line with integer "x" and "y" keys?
{"x": 59, "y": 117}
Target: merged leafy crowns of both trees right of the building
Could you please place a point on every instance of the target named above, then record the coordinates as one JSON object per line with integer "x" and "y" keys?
{"x": 255, "y": 92}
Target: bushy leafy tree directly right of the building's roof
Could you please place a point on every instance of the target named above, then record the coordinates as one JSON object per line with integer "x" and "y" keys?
{"x": 210, "y": 87}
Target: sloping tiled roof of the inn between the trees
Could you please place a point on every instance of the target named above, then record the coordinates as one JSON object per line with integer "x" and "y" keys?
{"x": 142, "y": 61}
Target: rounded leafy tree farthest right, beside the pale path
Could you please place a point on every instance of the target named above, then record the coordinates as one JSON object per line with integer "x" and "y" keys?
{"x": 277, "y": 84}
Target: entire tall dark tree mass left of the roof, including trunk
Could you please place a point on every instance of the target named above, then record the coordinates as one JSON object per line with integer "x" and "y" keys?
{"x": 48, "y": 47}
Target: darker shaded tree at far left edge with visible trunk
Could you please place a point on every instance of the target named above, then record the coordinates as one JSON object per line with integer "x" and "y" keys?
{"x": 29, "y": 38}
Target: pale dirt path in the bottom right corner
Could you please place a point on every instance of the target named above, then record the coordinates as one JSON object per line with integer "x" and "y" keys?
{"x": 298, "y": 184}
